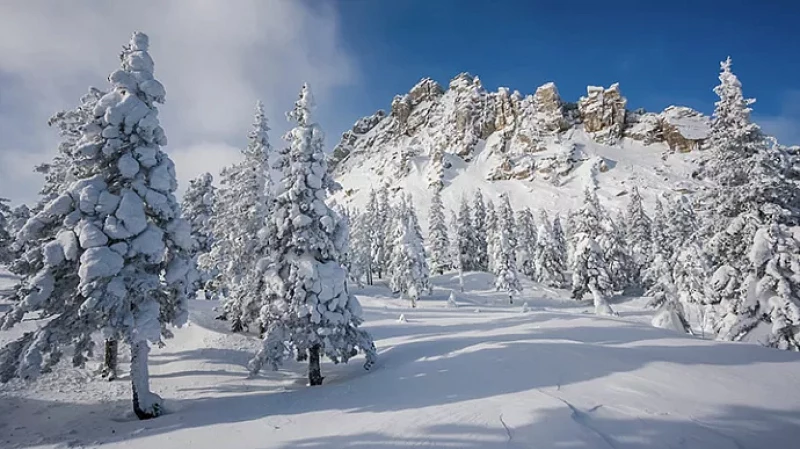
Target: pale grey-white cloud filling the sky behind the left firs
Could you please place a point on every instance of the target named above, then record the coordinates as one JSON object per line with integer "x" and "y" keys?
{"x": 215, "y": 59}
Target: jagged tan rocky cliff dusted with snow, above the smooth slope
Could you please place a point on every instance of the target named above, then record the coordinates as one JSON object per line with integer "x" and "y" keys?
{"x": 521, "y": 137}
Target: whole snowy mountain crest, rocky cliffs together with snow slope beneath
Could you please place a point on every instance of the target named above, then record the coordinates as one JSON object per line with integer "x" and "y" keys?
{"x": 434, "y": 136}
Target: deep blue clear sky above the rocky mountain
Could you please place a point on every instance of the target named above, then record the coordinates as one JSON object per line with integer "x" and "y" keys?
{"x": 661, "y": 53}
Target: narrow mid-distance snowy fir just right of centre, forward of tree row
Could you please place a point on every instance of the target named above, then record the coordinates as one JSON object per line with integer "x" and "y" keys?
{"x": 504, "y": 251}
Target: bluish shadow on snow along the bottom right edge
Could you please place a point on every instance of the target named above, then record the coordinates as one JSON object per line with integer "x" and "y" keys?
{"x": 739, "y": 427}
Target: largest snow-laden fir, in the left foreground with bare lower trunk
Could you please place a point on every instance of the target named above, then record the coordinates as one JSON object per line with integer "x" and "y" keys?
{"x": 112, "y": 250}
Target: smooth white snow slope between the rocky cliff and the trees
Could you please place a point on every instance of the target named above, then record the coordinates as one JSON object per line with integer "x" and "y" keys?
{"x": 650, "y": 167}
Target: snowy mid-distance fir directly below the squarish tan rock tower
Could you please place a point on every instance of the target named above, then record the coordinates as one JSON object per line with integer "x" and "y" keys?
{"x": 589, "y": 271}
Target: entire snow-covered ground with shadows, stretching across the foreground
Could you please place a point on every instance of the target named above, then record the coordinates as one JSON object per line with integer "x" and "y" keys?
{"x": 484, "y": 375}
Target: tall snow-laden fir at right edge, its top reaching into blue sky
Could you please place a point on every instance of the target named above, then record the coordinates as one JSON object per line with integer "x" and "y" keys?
{"x": 752, "y": 188}
